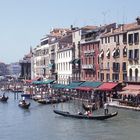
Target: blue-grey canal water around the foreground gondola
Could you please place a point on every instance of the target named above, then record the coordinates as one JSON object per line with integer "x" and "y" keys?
{"x": 40, "y": 123}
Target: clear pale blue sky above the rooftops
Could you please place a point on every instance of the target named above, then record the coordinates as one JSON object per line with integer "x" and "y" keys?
{"x": 24, "y": 22}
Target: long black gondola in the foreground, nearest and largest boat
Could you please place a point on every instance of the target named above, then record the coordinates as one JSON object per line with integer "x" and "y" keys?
{"x": 82, "y": 116}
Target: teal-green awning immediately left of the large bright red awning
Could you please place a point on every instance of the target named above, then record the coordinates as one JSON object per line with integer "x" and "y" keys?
{"x": 91, "y": 84}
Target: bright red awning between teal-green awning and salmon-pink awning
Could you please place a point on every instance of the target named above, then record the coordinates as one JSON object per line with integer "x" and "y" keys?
{"x": 107, "y": 86}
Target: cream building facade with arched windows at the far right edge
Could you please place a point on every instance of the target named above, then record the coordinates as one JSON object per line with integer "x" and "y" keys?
{"x": 133, "y": 45}
